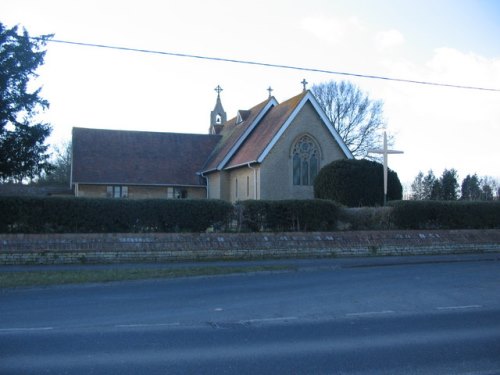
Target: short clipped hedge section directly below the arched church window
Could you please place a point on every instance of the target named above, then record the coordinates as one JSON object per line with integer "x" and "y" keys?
{"x": 288, "y": 215}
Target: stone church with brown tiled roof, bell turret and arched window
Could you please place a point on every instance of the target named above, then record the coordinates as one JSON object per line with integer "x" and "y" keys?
{"x": 270, "y": 151}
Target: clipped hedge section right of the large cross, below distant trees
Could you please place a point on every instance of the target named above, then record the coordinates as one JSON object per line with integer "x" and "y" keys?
{"x": 446, "y": 215}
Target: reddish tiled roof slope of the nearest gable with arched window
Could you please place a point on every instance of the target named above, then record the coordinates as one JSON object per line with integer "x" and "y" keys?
{"x": 265, "y": 131}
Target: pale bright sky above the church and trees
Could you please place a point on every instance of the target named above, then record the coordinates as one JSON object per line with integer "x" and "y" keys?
{"x": 449, "y": 41}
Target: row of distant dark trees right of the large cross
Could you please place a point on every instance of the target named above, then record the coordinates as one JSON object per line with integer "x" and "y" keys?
{"x": 447, "y": 187}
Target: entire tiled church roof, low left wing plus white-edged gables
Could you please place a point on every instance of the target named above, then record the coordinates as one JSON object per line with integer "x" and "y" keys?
{"x": 152, "y": 158}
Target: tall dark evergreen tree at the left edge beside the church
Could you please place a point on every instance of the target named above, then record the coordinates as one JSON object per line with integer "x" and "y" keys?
{"x": 23, "y": 153}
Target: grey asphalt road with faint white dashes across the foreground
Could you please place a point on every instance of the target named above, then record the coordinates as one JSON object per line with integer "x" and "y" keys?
{"x": 329, "y": 317}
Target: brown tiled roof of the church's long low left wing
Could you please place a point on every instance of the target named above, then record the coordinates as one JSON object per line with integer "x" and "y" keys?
{"x": 137, "y": 157}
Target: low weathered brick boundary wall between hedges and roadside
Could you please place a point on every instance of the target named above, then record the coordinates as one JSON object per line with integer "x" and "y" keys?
{"x": 166, "y": 247}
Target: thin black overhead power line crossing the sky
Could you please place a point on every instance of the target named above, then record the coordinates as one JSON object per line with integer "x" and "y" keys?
{"x": 281, "y": 66}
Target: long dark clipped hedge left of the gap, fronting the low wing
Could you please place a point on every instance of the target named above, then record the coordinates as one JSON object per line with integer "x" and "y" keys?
{"x": 83, "y": 215}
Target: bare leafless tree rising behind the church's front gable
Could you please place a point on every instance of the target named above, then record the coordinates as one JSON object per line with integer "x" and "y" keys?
{"x": 355, "y": 116}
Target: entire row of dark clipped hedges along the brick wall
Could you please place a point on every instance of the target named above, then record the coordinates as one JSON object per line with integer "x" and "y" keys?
{"x": 82, "y": 215}
